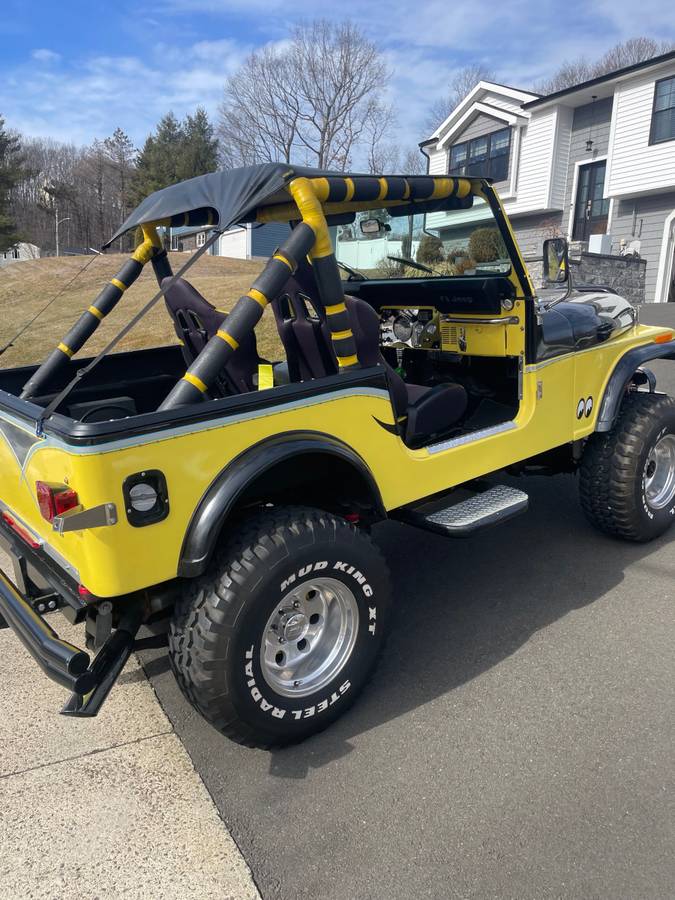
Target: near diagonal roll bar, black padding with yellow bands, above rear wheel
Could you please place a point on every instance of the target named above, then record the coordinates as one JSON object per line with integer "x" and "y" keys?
{"x": 245, "y": 315}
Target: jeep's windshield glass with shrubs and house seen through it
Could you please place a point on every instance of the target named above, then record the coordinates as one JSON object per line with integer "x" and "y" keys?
{"x": 461, "y": 243}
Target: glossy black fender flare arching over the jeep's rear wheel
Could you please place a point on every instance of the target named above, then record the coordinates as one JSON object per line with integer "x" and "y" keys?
{"x": 229, "y": 485}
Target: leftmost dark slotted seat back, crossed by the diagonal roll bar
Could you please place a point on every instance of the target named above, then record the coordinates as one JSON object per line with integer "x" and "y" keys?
{"x": 195, "y": 321}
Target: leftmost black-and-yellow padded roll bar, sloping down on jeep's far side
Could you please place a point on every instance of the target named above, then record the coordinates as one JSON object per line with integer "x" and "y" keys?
{"x": 89, "y": 321}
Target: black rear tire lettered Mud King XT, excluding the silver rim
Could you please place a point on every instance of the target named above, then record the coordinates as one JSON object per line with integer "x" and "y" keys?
{"x": 217, "y": 629}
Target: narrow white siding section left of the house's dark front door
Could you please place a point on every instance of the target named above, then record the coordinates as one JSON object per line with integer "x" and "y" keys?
{"x": 536, "y": 159}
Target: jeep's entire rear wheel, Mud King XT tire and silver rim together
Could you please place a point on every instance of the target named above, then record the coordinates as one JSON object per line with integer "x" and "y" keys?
{"x": 276, "y": 640}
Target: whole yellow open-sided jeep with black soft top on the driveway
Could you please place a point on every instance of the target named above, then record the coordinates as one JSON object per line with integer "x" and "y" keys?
{"x": 201, "y": 491}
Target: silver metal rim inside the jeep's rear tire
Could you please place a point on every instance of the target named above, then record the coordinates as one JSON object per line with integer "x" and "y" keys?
{"x": 309, "y": 637}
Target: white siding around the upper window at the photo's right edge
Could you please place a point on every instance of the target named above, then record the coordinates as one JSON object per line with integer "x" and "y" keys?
{"x": 634, "y": 166}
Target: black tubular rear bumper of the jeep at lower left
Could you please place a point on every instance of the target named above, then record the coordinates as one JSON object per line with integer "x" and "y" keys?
{"x": 58, "y": 659}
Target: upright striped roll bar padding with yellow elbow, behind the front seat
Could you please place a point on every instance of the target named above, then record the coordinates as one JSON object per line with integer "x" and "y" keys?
{"x": 307, "y": 196}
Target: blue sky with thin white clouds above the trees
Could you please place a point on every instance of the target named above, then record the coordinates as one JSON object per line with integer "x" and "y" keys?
{"x": 75, "y": 71}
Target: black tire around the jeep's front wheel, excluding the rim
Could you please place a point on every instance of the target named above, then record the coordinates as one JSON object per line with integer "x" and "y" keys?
{"x": 612, "y": 484}
